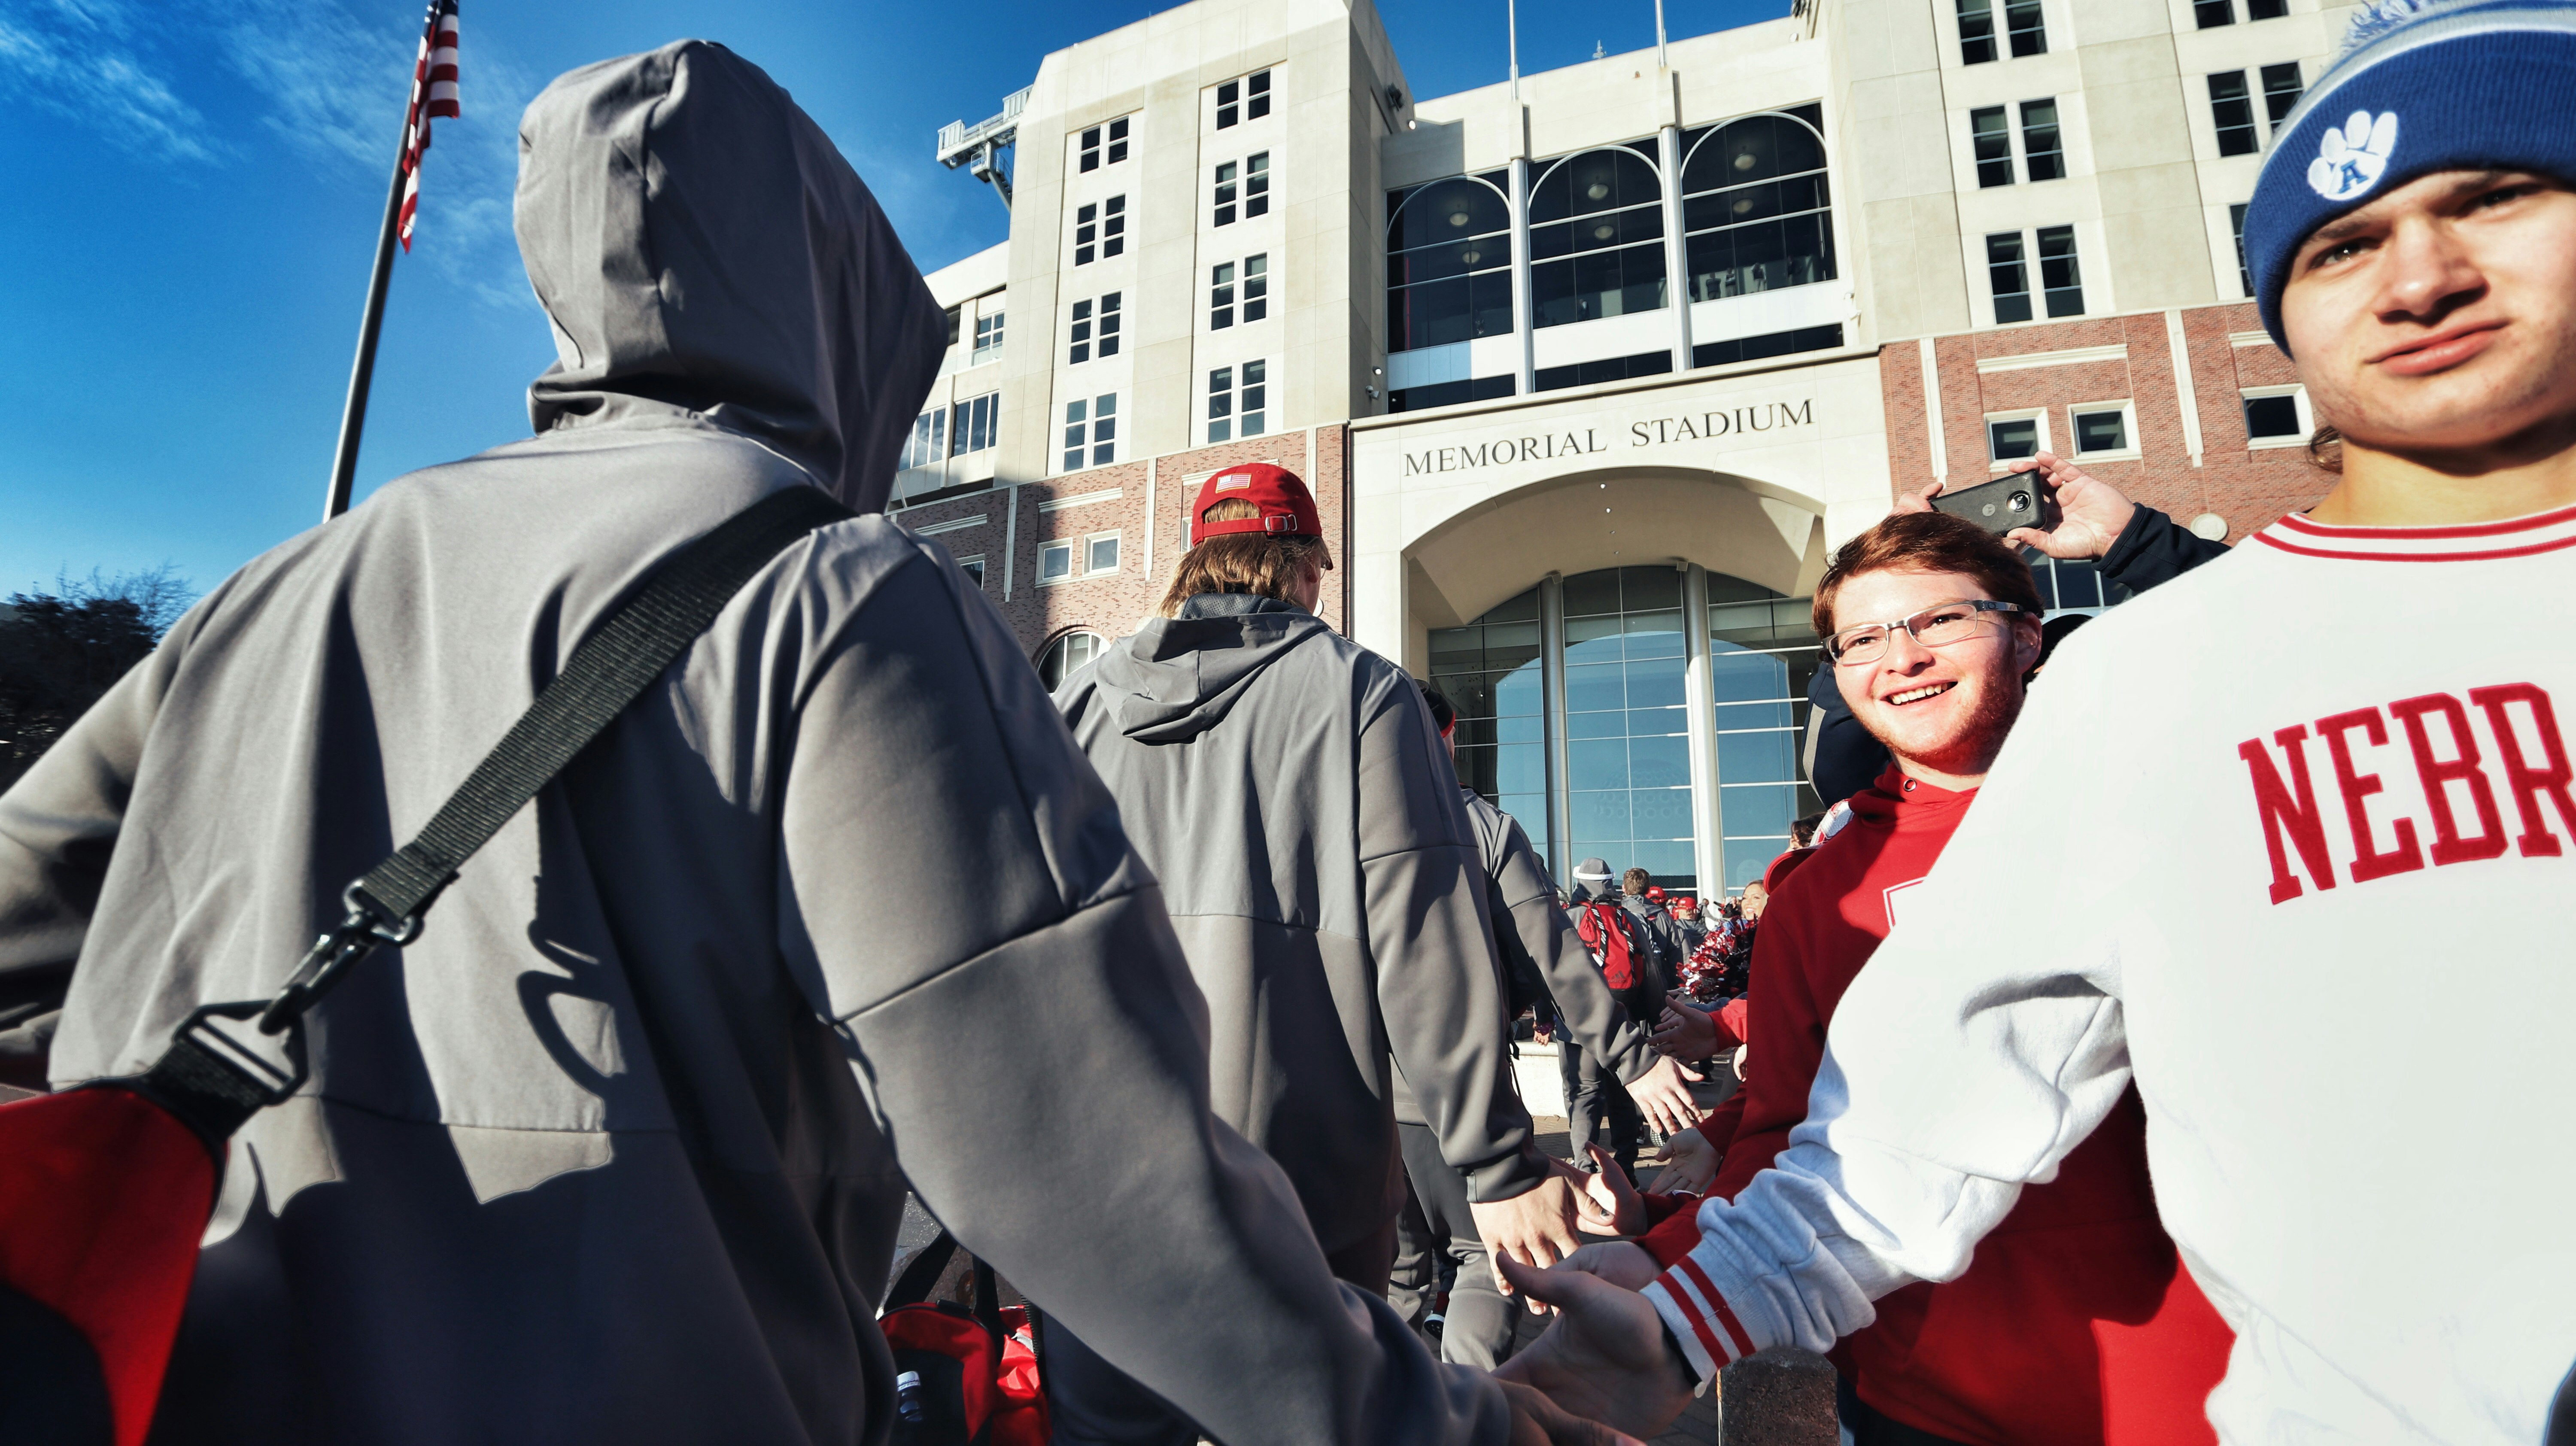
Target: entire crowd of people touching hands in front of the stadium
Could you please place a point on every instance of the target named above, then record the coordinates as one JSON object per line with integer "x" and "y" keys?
{"x": 1217, "y": 1068}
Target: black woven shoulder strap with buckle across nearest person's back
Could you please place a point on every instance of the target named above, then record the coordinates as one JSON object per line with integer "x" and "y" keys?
{"x": 210, "y": 1079}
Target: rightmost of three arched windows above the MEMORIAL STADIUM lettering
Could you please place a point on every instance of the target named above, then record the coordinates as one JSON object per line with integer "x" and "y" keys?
{"x": 1756, "y": 207}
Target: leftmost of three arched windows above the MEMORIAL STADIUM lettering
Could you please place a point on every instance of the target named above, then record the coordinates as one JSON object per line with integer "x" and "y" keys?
{"x": 1449, "y": 262}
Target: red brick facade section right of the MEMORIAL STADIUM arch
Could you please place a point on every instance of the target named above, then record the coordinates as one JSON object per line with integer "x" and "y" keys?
{"x": 2242, "y": 483}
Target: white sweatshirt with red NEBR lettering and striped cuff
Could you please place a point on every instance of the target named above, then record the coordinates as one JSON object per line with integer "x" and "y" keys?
{"x": 2289, "y": 842}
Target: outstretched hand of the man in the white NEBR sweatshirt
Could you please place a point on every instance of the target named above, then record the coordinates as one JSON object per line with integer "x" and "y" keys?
{"x": 1604, "y": 1357}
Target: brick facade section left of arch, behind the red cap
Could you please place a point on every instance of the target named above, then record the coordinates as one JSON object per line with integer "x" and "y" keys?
{"x": 1148, "y": 504}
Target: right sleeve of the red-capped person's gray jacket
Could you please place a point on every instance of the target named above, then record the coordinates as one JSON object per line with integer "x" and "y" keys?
{"x": 1434, "y": 947}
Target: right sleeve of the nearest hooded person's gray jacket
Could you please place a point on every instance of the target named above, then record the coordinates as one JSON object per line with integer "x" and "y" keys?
{"x": 1039, "y": 1063}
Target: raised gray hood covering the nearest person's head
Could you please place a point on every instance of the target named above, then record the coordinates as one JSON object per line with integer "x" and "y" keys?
{"x": 705, "y": 251}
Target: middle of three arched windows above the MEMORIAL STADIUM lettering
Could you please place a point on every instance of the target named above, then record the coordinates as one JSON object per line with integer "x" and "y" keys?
{"x": 1596, "y": 238}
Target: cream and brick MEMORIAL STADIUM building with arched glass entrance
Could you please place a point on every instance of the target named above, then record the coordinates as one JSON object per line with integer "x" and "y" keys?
{"x": 1593, "y": 370}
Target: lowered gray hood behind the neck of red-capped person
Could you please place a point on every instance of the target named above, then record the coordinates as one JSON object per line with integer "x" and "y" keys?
{"x": 1184, "y": 677}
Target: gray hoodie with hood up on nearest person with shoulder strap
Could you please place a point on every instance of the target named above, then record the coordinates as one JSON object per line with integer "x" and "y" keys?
{"x": 617, "y": 1151}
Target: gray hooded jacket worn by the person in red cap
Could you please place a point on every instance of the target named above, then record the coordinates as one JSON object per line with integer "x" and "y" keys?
{"x": 1292, "y": 795}
